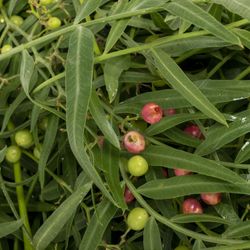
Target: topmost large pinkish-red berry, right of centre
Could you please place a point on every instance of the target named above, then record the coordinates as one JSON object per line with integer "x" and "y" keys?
{"x": 151, "y": 113}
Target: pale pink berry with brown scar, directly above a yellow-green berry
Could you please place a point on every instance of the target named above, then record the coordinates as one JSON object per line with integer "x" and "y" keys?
{"x": 134, "y": 142}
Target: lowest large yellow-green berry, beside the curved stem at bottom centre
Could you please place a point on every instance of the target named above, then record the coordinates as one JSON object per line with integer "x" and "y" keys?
{"x": 137, "y": 218}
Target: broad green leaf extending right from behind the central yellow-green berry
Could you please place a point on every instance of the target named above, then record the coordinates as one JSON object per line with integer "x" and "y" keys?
{"x": 166, "y": 156}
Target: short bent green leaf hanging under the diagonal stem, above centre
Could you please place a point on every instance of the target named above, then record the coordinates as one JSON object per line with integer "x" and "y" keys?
{"x": 112, "y": 71}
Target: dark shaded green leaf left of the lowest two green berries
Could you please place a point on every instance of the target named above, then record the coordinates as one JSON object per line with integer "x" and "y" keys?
{"x": 110, "y": 168}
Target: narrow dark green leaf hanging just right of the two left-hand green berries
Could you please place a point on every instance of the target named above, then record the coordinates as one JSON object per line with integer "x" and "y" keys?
{"x": 48, "y": 143}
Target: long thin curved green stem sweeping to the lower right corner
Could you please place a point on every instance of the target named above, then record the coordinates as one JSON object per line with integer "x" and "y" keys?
{"x": 170, "y": 224}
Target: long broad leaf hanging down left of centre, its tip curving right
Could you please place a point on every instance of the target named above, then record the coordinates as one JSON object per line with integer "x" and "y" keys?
{"x": 78, "y": 80}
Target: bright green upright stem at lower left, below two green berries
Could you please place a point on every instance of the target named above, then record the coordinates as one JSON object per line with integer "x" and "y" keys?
{"x": 22, "y": 205}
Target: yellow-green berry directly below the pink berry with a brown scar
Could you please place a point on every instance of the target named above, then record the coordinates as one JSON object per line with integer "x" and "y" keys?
{"x": 137, "y": 165}
